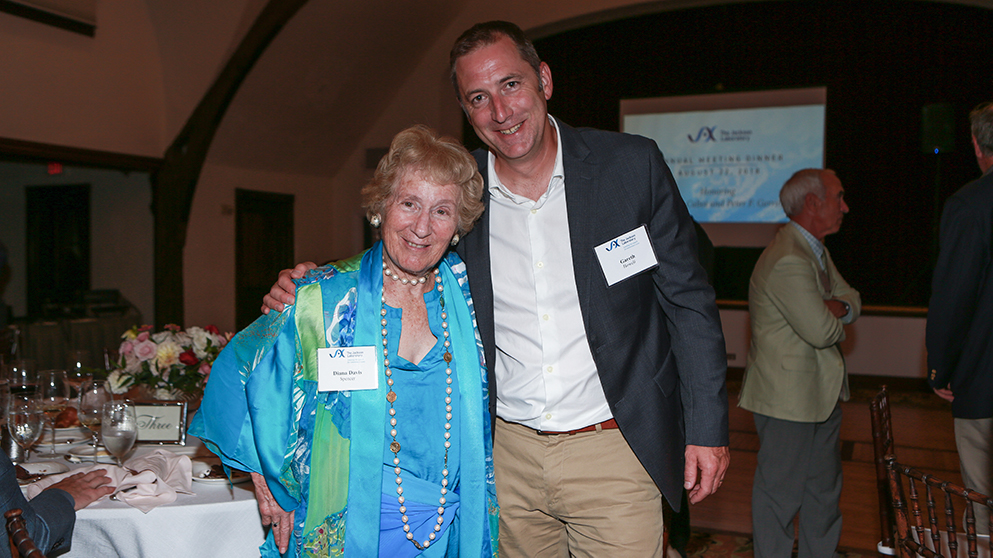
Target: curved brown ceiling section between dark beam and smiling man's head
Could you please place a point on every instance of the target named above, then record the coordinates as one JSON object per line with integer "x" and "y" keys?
{"x": 315, "y": 91}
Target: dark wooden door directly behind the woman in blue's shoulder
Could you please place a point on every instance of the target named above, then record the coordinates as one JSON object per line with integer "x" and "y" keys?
{"x": 264, "y": 246}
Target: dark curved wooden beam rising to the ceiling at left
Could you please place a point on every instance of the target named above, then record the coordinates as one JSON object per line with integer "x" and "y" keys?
{"x": 174, "y": 184}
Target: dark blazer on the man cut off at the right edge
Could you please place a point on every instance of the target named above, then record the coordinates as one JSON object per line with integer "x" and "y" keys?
{"x": 960, "y": 315}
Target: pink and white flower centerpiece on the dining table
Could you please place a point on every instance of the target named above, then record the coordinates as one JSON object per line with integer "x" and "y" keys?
{"x": 168, "y": 363}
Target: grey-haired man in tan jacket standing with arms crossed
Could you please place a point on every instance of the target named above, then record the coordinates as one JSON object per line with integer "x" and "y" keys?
{"x": 795, "y": 375}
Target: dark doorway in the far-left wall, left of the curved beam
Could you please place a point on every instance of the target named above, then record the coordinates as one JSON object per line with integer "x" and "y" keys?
{"x": 58, "y": 247}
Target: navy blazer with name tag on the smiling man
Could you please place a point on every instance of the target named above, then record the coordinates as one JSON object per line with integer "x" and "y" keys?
{"x": 656, "y": 337}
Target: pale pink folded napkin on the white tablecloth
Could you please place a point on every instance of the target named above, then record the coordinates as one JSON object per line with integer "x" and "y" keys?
{"x": 161, "y": 475}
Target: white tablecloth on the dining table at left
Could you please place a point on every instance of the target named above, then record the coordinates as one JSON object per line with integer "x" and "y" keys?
{"x": 219, "y": 520}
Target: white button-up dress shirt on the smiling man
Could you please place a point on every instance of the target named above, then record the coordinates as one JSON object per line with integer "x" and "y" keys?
{"x": 545, "y": 372}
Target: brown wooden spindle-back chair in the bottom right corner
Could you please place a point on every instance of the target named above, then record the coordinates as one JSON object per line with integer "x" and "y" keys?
{"x": 926, "y": 536}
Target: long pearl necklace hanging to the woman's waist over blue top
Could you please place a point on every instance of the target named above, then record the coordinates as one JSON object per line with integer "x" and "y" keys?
{"x": 391, "y": 396}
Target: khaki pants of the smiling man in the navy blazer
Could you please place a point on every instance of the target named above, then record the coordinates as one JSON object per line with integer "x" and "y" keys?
{"x": 584, "y": 495}
